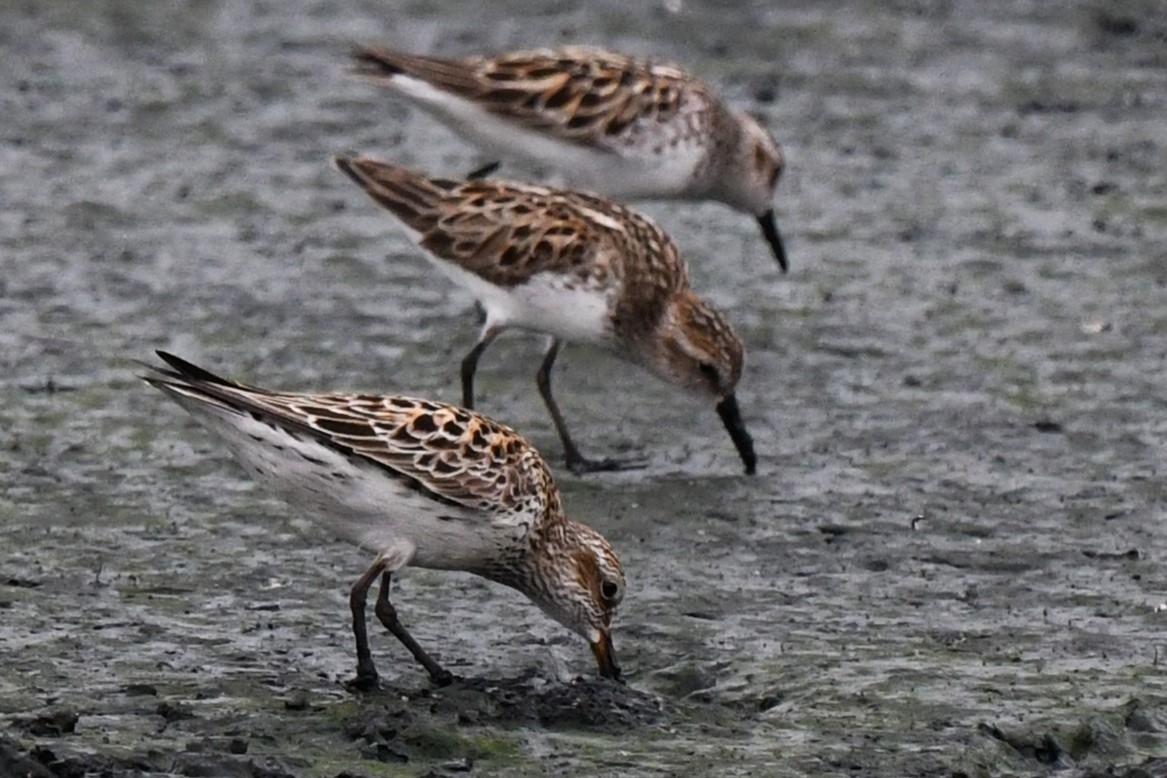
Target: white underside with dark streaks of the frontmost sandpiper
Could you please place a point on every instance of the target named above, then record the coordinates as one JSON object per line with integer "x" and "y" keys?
{"x": 365, "y": 507}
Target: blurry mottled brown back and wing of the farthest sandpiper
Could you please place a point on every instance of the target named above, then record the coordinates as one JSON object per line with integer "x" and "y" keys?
{"x": 582, "y": 95}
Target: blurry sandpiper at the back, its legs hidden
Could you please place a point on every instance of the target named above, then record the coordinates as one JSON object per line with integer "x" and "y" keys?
{"x": 623, "y": 127}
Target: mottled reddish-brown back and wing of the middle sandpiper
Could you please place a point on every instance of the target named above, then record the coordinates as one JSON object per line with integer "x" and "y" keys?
{"x": 507, "y": 233}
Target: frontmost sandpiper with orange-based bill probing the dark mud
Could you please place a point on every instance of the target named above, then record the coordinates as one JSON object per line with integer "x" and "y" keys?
{"x": 417, "y": 483}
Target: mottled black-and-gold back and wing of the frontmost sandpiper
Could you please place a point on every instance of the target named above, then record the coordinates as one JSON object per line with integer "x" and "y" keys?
{"x": 452, "y": 454}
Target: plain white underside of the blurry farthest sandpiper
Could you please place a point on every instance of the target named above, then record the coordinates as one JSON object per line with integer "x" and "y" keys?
{"x": 631, "y": 172}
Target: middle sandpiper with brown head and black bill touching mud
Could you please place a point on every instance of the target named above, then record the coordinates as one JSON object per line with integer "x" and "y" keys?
{"x": 575, "y": 267}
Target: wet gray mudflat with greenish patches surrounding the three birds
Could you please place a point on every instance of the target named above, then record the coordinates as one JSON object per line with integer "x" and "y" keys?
{"x": 952, "y": 562}
